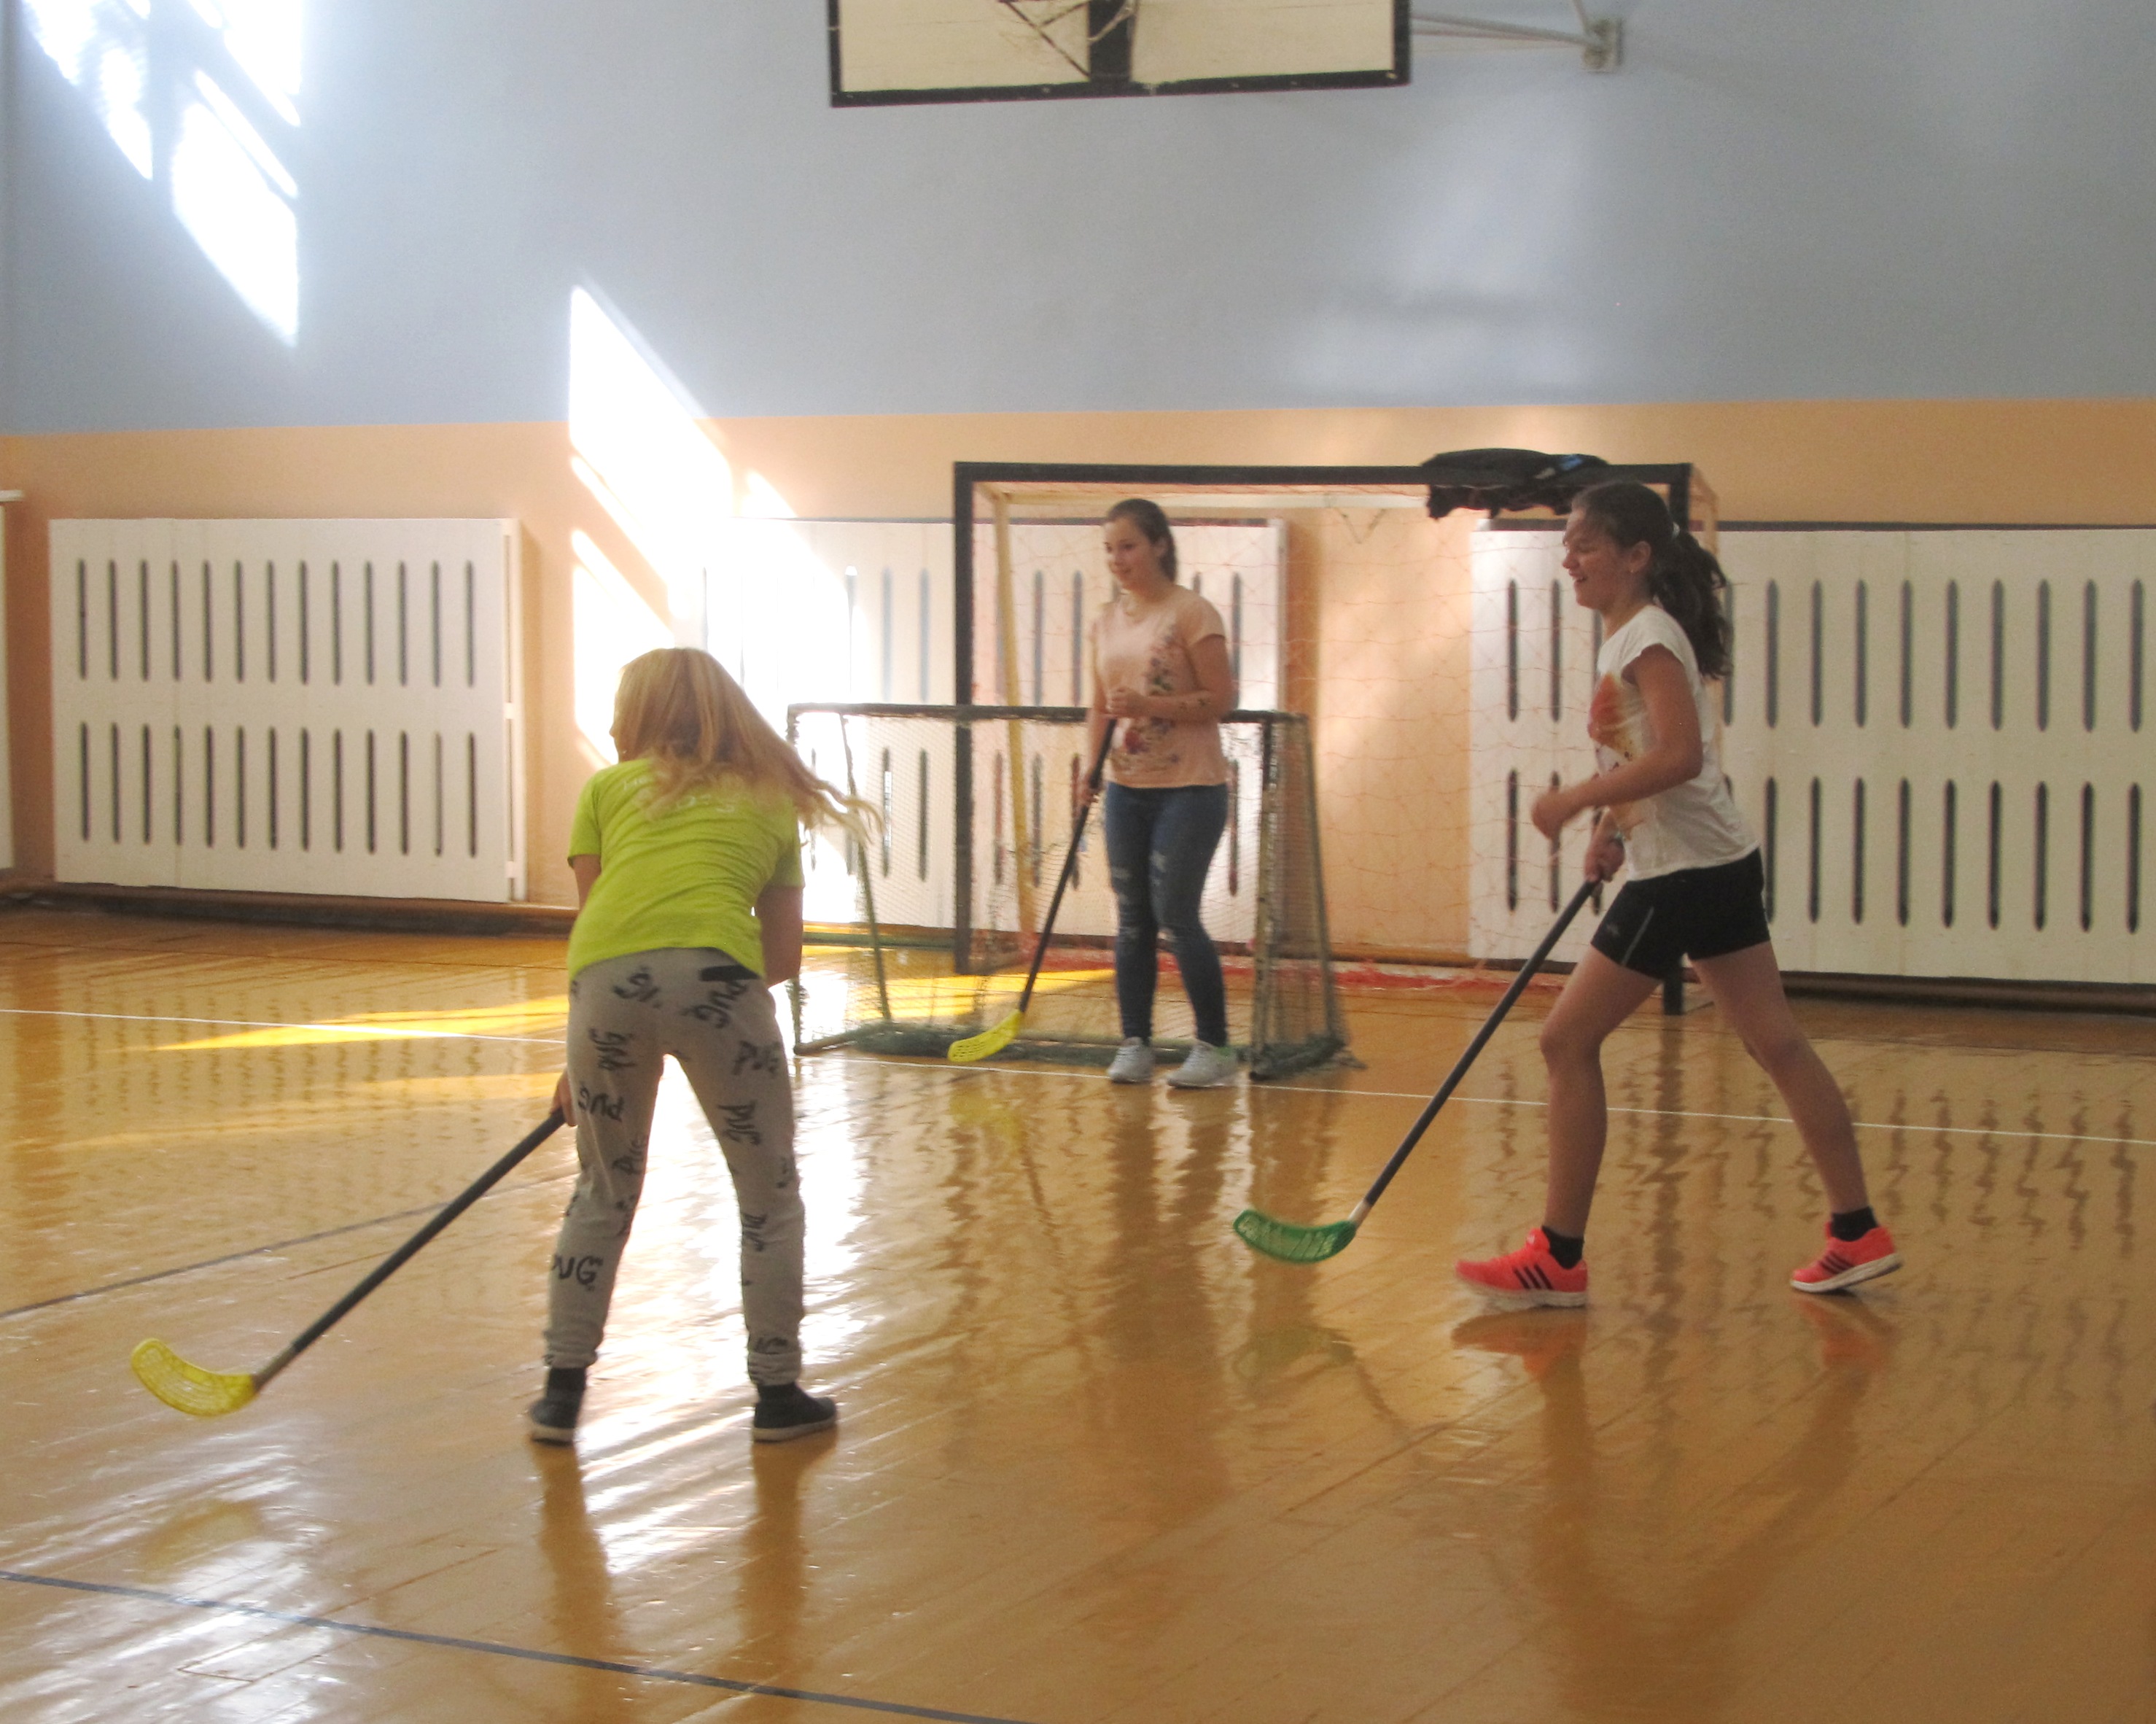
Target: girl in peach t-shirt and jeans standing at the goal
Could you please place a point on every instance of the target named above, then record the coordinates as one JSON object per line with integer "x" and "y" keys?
{"x": 1163, "y": 679}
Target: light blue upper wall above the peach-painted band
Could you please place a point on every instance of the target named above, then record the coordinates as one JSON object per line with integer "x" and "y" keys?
{"x": 1773, "y": 200}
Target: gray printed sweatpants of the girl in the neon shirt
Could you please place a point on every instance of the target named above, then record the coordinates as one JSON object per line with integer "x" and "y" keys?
{"x": 717, "y": 1020}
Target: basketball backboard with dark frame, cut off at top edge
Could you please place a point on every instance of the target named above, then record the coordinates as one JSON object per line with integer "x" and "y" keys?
{"x": 1008, "y": 51}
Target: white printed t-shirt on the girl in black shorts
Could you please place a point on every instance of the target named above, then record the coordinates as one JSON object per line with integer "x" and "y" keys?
{"x": 1689, "y": 825}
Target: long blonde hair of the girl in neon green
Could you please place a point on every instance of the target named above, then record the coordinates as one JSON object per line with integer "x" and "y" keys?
{"x": 680, "y": 711}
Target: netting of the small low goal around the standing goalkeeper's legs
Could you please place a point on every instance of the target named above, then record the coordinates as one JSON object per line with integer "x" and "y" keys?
{"x": 976, "y": 827}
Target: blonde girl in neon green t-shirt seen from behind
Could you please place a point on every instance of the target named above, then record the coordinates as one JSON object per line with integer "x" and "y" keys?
{"x": 689, "y": 886}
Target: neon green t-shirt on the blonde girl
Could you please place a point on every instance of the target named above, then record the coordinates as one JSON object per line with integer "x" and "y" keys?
{"x": 689, "y": 877}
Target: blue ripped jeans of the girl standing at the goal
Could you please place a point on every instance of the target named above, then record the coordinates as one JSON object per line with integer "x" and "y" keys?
{"x": 1161, "y": 847}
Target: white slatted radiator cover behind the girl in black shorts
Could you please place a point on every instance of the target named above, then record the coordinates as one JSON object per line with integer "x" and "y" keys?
{"x": 1944, "y": 741}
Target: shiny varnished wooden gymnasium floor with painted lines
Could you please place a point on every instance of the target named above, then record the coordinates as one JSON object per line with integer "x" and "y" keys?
{"x": 1096, "y": 1460}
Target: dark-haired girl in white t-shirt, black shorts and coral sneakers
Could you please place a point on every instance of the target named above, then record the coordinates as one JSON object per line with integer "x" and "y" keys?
{"x": 1696, "y": 892}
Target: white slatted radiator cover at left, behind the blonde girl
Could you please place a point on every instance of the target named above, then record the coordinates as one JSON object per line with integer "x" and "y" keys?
{"x": 318, "y": 707}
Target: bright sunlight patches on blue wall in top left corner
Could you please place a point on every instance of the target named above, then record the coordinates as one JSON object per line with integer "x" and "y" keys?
{"x": 189, "y": 135}
